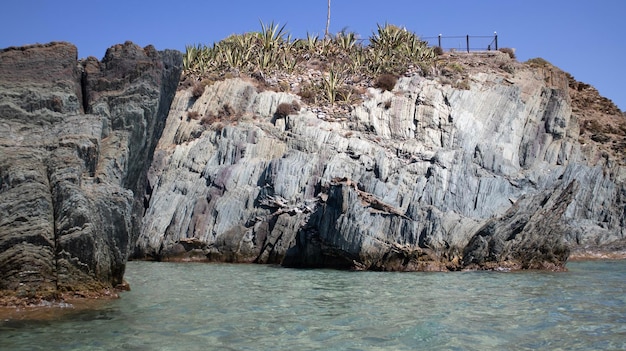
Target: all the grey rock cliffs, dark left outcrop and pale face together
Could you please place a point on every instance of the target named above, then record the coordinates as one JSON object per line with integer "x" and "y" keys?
{"x": 102, "y": 161}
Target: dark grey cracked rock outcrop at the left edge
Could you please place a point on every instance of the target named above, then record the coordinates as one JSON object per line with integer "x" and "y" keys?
{"x": 76, "y": 141}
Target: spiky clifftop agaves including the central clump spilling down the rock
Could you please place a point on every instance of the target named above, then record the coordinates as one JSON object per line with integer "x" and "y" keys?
{"x": 332, "y": 65}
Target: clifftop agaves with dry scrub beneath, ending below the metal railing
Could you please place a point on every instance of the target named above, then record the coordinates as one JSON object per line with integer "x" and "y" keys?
{"x": 333, "y": 72}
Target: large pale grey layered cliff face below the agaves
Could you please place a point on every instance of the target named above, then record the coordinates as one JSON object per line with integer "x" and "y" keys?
{"x": 426, "y": 177}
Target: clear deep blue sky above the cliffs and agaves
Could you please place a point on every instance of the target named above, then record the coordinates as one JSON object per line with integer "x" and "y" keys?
{"x": 583, "y": 37}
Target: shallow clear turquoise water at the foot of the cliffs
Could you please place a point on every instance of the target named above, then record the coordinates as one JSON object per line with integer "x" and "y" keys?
{"x": 252, "y": 307}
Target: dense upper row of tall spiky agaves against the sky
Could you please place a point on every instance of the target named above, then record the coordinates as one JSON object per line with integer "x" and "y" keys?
{"x": 390, "y": 49}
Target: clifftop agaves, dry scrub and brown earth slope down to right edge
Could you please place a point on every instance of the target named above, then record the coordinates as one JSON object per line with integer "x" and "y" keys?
{"x": 334, "y": 72}
